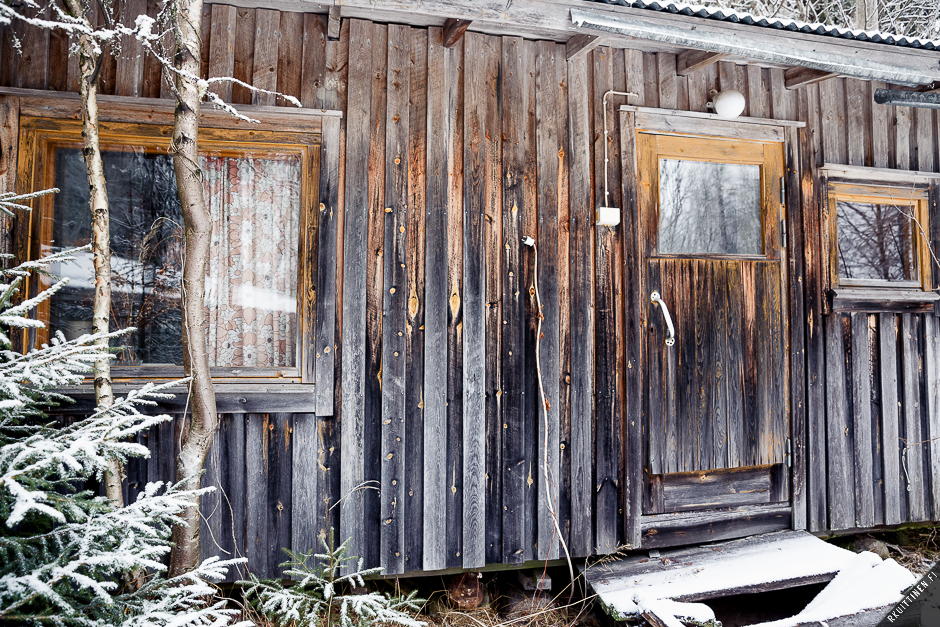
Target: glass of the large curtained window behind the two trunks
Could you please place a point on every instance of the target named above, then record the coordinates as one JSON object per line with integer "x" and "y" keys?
{"x": 251, "y": 282}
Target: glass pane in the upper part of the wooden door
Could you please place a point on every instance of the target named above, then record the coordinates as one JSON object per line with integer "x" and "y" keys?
{"x": 709, "y": 207}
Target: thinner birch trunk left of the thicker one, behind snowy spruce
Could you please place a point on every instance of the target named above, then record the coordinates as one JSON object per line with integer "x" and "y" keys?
{"x": 100, "y": 234}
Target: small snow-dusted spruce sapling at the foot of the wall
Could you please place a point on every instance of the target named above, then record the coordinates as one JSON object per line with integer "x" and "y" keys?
{"x": 322, "y": 595}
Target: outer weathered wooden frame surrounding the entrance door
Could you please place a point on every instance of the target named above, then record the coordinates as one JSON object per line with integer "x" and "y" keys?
{"x": 636, "y": 311}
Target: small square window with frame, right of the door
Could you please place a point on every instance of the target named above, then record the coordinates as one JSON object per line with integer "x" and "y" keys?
{"x": 877, "y": 239}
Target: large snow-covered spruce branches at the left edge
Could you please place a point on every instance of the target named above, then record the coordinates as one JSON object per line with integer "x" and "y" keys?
{"x": 66, "y": 555}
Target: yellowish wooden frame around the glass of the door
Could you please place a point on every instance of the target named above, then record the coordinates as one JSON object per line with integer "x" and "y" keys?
{"x": 759, "y": 149}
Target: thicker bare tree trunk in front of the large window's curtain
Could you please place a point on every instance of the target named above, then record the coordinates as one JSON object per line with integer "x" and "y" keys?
{"x": 200, "y": 428}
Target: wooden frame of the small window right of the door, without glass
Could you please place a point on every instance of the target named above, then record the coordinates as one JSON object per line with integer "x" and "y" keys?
{"x": 876, "y": 185}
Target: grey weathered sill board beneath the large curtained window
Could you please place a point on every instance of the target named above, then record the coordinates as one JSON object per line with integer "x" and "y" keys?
{"x": 231, "y": 398}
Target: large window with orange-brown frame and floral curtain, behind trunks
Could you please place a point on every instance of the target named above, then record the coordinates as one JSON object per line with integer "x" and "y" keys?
{"x": 260, "y": 189}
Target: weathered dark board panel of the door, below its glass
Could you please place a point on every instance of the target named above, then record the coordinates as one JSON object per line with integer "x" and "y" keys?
{"x": 718, "y": 396}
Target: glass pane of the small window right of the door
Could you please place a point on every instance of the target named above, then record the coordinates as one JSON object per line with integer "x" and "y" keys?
{"x": 875, "y": 241}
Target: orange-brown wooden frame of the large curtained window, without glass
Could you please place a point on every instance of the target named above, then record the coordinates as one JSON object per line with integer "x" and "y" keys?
{"x": 40, "y": 137}
